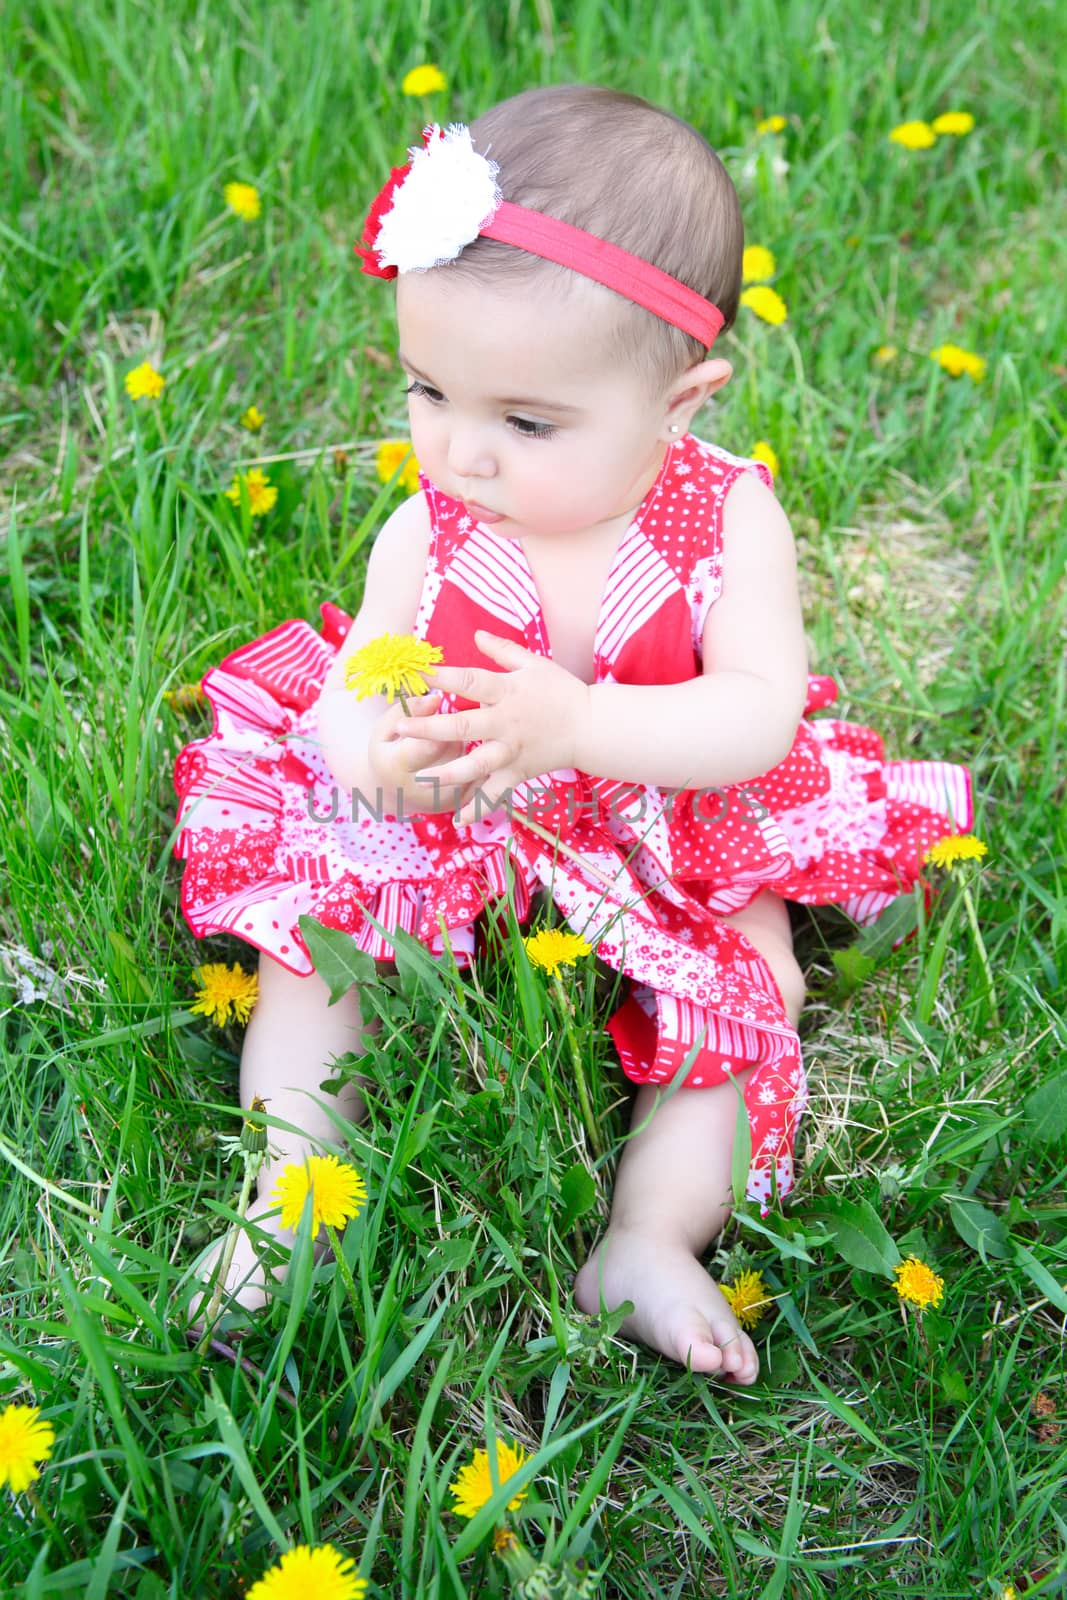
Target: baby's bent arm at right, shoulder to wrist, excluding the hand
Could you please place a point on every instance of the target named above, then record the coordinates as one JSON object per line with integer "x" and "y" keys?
{"x": 740, "y": 719}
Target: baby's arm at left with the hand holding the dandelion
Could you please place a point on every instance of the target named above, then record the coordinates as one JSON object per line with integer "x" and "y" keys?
{"x": 359, "y": 737}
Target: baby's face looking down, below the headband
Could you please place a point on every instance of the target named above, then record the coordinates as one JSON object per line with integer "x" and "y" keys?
{"x": 516, "y": 410}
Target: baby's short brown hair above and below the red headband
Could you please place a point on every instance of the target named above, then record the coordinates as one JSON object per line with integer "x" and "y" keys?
{"x": 628, "y": 172}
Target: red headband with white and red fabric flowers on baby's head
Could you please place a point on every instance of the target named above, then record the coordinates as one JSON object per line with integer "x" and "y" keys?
{"x": 447, "y": 196}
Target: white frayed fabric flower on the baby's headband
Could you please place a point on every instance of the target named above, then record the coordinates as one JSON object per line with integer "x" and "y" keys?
{"x": 441, "y": 206}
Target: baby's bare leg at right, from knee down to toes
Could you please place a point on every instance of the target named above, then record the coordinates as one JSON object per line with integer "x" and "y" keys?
{"x": 673, "y": 1198}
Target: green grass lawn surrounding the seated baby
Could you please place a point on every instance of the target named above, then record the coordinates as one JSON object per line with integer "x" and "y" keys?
{"x": 932, "y": 519}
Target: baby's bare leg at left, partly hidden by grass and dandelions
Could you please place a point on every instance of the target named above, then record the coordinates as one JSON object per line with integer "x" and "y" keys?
{"x": 292, "y": 1039}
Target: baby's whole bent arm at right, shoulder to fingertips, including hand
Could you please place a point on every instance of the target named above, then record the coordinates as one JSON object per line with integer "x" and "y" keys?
{"x": 732, "y": 724}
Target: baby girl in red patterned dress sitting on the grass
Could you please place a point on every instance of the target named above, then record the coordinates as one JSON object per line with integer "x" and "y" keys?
{"x": 621, "y": 711}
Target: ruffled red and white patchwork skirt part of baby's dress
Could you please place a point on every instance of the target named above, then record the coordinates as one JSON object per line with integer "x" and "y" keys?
{"x": 645, "y": 876}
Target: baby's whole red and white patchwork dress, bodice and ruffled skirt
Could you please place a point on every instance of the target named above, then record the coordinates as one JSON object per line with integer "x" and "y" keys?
{"x": 645, "y": 874}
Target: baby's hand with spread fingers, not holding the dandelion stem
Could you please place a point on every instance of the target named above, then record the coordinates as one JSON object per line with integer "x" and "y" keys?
{"x": 529, "y": 719}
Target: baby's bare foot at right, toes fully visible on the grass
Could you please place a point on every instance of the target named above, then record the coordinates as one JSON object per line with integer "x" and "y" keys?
{"x": 677, "y": 1308}
